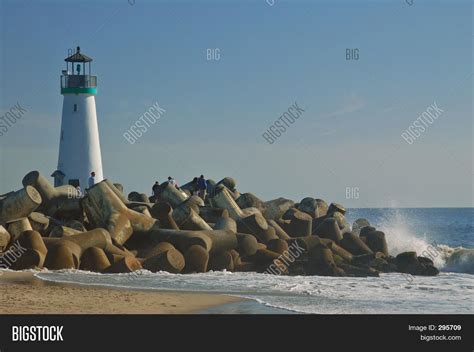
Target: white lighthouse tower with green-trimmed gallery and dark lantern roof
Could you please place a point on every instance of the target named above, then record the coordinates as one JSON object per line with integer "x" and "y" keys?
{"x": 79, "y": 146}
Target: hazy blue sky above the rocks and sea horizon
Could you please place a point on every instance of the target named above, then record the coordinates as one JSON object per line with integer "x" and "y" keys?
{"x": 346, "y": 146}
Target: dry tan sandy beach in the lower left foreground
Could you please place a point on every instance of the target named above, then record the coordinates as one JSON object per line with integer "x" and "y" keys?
{"x": 22, "y": 293}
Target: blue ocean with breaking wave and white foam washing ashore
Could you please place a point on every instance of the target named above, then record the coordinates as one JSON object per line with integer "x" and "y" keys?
{"x": 445, "y": 234}
